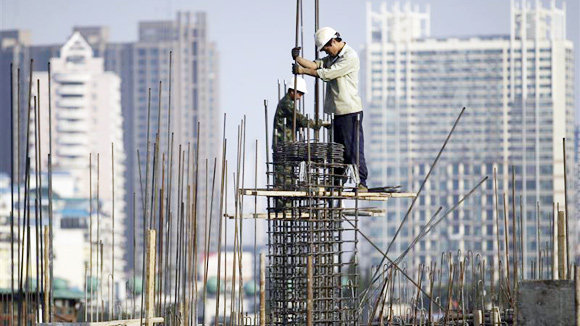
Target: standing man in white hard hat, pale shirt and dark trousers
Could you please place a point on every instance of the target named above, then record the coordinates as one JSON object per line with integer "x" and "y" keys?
{"x": 340, "y": 72}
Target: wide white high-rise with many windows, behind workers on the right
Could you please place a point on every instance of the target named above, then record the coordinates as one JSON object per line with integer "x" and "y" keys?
{"x": 518, "y": 91}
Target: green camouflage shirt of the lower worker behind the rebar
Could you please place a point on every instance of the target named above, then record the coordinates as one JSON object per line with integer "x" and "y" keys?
{"x": 285, "y": 110}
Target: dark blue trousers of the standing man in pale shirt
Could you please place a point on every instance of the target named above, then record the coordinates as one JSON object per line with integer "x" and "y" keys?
{"x": 345, "y": 132}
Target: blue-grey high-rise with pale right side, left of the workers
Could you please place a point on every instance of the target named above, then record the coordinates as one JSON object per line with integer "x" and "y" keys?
{"x": 193, "y": 100}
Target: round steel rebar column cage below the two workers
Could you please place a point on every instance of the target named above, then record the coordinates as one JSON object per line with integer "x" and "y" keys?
{"x": 299, "y": 227}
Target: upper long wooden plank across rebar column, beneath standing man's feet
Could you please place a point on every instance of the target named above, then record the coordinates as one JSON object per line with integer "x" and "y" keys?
{"x": 376, "y": 196}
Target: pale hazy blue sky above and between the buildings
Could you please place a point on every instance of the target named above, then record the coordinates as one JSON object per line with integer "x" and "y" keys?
{"x": 254, "y": 37}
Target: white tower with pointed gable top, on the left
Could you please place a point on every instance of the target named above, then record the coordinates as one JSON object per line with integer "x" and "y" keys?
{"x": 86, "y": 120}
